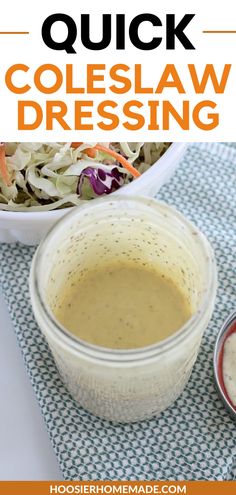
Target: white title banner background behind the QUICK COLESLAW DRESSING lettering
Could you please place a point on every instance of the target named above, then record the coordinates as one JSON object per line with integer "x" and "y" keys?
{"x": 31, "y": 50}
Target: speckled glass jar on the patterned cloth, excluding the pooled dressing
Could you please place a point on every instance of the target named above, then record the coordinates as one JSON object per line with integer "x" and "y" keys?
{"x": 134, "y": 384}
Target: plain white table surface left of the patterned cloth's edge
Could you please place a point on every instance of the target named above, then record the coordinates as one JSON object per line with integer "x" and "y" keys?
{"x": 25, "y": 449}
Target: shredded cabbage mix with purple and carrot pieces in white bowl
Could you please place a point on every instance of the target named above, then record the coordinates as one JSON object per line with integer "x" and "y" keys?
{"x": 47, "y": 176}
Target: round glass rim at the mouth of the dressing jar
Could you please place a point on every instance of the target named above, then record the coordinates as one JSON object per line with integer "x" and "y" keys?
{"x": 124, "y": 356}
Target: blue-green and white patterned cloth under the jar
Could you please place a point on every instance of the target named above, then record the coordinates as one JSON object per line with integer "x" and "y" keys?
{"x": 195, "y": 438}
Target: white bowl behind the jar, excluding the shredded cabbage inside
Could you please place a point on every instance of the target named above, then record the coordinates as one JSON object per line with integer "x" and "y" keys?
{"x": 30, "y": 227}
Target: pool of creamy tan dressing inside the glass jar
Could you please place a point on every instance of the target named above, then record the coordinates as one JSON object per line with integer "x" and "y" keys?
{"x": 122, "y": 306}
